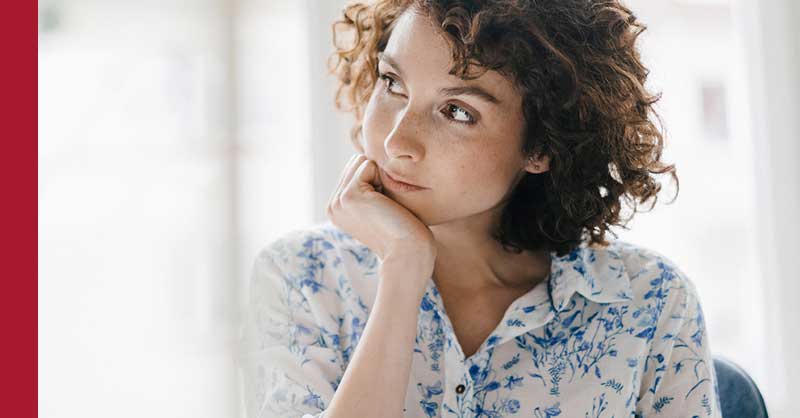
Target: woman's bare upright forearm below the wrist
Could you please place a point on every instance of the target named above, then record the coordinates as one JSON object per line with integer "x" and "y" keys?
{"x": 376, "y": 379}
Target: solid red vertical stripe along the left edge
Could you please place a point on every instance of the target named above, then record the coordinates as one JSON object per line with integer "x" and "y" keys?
{"x": 19, "y": 206}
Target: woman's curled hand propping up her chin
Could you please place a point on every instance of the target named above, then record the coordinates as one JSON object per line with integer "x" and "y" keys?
{"x": 358, "y": 207}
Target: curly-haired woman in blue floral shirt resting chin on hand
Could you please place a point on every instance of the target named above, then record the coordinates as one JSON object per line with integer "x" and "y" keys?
{"x": 465, "y": 270}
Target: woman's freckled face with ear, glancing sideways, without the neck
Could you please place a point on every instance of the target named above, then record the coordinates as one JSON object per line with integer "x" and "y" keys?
{"x": 458, "y": 139}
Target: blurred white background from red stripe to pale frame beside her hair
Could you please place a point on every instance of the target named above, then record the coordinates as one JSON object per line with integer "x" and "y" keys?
{"x": 174, "y": 142}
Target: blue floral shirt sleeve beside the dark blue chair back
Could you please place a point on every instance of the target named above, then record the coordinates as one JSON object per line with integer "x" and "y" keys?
{"x": 679, "y": 378}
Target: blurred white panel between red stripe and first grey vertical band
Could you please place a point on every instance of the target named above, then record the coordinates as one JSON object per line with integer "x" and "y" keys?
{"x": 137, "y": 211}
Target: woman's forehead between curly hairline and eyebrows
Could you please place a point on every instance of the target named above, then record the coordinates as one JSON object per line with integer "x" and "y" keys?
{"x": 423, "y": 52}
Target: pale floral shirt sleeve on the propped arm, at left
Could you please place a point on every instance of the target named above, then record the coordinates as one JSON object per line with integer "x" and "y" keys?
{"x": 287, "y": 368}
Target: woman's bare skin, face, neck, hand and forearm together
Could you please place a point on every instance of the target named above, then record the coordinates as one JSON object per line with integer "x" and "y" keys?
{"x": 440, "y": 232}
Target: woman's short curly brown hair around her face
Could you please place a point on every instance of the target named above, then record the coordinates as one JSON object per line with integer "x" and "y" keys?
{"x": 579, "y": 72}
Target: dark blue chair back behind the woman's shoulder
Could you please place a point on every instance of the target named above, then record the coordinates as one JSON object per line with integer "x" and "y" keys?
{"x": 738, "y": 394}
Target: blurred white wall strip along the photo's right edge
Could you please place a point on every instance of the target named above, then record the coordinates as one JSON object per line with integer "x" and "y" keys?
{"x": 772, "y": 51}
